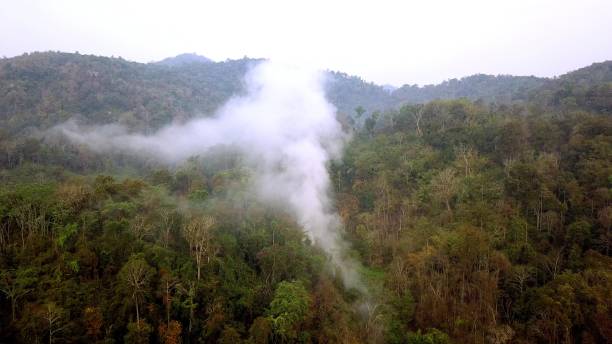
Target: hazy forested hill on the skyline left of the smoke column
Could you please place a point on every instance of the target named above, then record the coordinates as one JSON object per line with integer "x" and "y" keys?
{"x": 42, "y": 89}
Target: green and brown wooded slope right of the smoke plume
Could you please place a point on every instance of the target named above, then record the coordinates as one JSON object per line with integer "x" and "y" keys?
{"x": 488, "y": 223}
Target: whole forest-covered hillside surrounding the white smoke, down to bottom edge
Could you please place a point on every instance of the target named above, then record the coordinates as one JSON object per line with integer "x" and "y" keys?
{"x": 474, "y": 221}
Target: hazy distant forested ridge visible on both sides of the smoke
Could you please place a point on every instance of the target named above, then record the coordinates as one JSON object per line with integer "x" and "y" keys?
{"x": 39, "y": 90}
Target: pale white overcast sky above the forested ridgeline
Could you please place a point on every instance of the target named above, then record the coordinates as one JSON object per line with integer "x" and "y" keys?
{"x": 394, "y": 42}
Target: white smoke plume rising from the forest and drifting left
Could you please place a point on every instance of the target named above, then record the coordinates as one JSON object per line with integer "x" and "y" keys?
{"x": 288, "y": 133}
